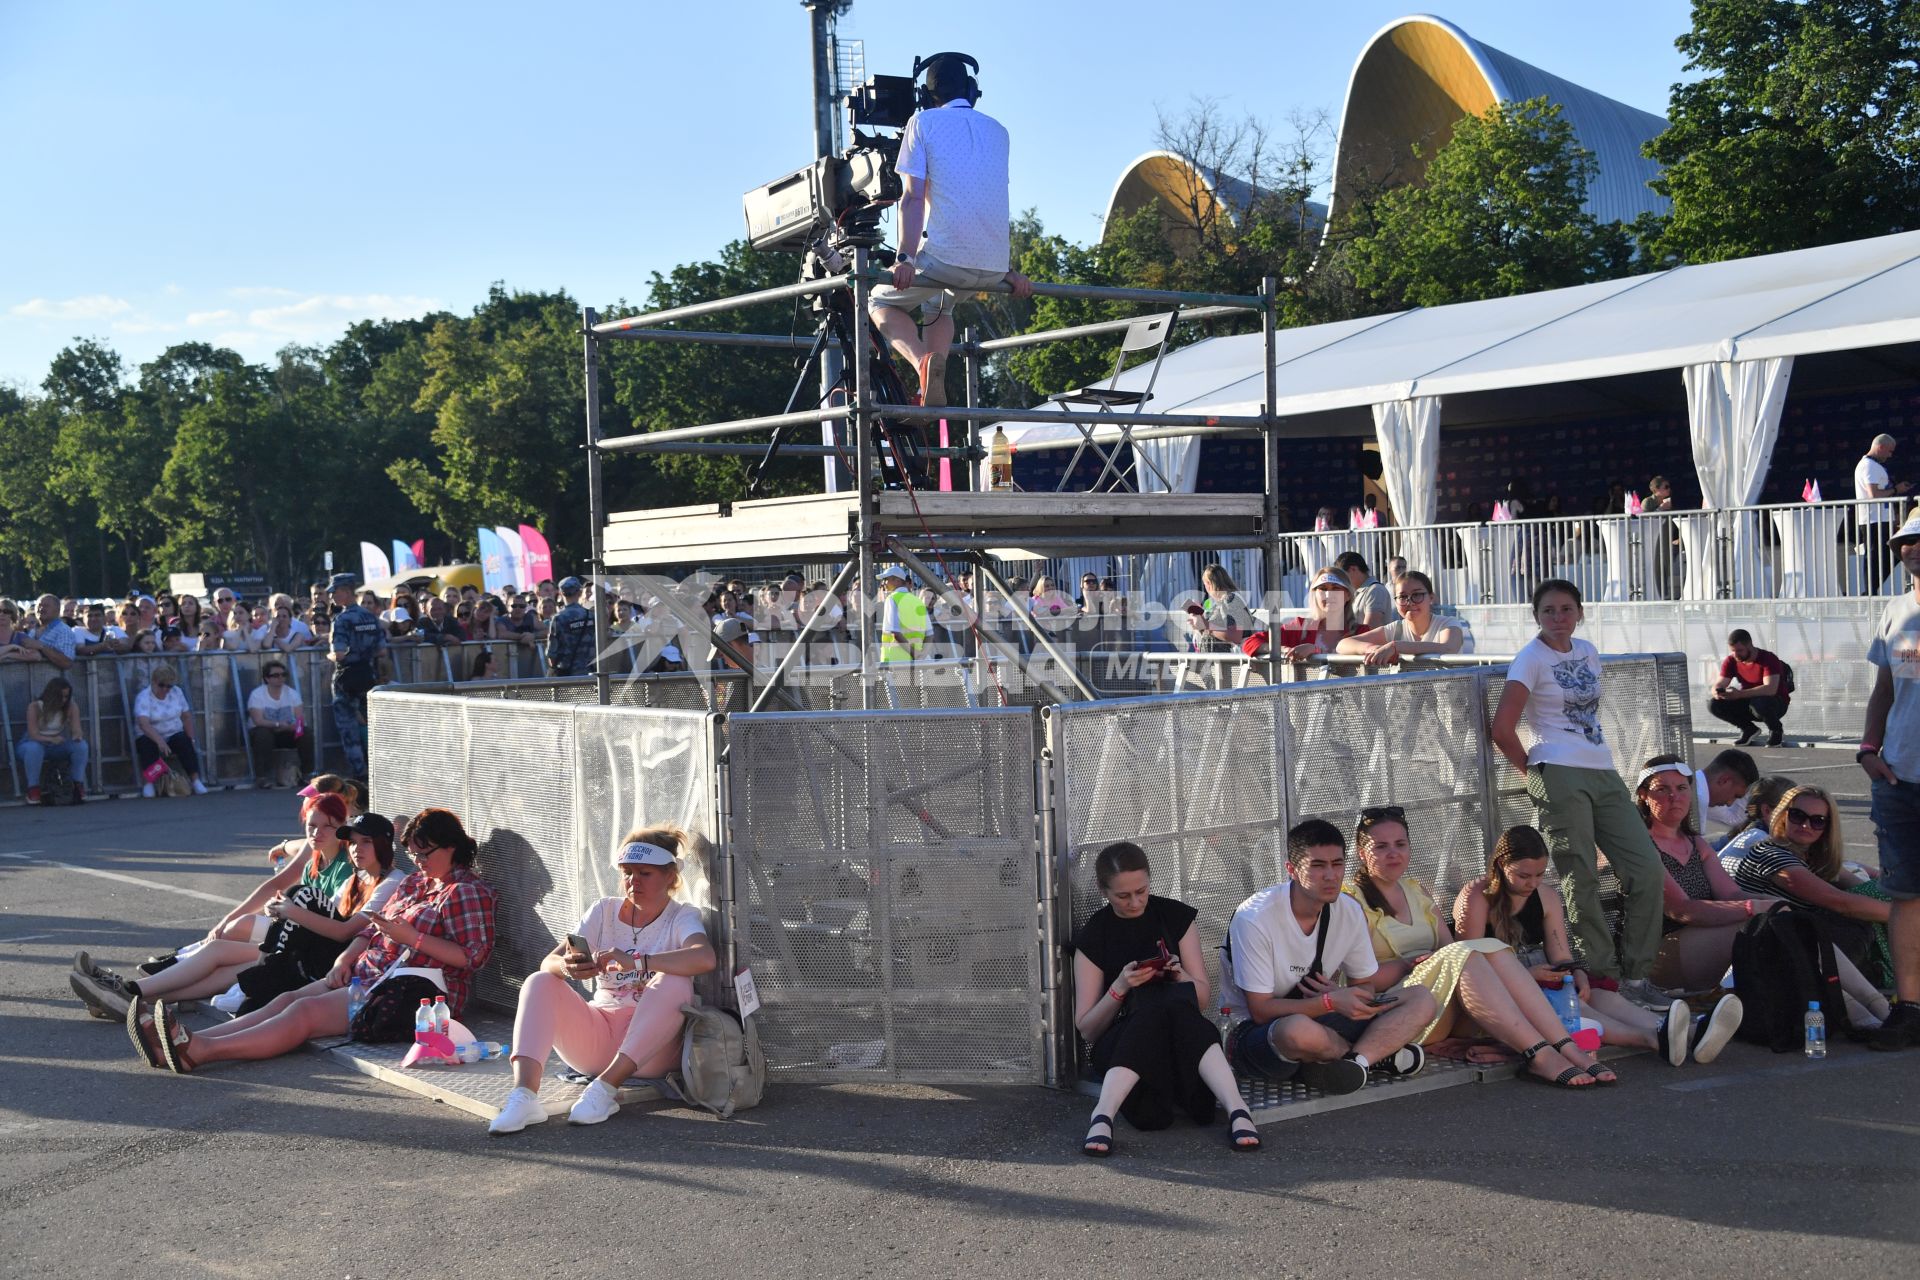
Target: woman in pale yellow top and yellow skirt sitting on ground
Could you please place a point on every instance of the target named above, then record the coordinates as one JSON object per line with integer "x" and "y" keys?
{"x": 1477, "y": 985}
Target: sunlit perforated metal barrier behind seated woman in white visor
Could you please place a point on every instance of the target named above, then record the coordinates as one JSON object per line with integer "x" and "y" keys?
{"x": 550, "y": 792}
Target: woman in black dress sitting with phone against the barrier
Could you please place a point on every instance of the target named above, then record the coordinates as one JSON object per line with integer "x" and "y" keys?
{"x": 1143, "y": 1018}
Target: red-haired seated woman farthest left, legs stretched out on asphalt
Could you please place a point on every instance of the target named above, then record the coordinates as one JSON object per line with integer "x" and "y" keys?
{"x": 233, "y": 945}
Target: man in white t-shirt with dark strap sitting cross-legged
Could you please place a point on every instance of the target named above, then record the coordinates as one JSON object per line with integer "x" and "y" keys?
{"x": 1287, "y": 947}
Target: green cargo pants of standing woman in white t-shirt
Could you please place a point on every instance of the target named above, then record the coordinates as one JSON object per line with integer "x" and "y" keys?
{"x": 1581, "y": 811}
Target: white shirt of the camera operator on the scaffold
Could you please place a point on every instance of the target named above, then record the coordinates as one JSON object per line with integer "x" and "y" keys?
{"x": 961, "y": 154}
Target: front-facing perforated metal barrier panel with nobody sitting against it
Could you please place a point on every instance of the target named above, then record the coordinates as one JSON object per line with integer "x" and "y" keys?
{"x": 888, "y": 893}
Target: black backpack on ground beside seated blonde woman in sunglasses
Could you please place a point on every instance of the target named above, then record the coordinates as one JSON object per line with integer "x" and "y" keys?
{"x": 1785, "y": 962}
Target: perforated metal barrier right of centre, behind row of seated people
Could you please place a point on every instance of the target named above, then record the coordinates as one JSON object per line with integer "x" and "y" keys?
{"x": 1209, "y": 784}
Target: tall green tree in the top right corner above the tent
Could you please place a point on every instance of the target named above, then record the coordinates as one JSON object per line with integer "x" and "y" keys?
{"x": 1804, "y": 128}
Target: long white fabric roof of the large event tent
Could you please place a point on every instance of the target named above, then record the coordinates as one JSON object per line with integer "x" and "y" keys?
{"x": 1831, "y": 298}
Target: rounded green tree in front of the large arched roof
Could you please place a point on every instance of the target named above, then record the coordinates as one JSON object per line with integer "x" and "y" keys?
{"x": 1499, "y": 214}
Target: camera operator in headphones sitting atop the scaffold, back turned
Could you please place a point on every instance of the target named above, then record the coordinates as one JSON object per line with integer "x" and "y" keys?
{"x": 953, "y": 166}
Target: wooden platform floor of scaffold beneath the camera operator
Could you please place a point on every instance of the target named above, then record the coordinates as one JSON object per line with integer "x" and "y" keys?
{"x": 825, "y": 525}
